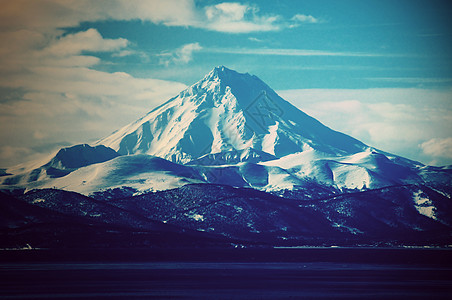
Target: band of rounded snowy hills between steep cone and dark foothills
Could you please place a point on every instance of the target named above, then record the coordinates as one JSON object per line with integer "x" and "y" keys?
{"x": 368, "y": 169}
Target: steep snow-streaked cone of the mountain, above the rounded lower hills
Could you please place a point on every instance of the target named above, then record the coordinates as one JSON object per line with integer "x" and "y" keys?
{"x": 227, "y": 111}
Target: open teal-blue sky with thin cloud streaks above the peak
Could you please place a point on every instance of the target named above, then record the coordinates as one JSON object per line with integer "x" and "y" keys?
{"x": 346, "y": 44}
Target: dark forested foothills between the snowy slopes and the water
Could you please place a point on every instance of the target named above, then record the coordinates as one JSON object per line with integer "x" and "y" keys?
{"x": 227, "y": 216}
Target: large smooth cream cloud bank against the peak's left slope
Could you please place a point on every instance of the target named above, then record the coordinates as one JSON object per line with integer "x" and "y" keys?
{"x": 76, "y": 105}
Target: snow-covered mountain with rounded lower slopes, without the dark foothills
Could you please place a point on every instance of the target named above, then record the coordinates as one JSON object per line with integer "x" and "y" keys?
{"x": 228, "y": 128}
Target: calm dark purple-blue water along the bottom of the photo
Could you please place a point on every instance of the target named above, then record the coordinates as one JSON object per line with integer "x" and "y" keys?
{"x": 225, "y": 280}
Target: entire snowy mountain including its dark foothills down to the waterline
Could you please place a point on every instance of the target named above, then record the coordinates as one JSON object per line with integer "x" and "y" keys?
{"x": 230, "y": 158}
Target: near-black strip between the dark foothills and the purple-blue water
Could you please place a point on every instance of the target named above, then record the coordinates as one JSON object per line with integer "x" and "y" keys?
{"x": 399, "y": 255}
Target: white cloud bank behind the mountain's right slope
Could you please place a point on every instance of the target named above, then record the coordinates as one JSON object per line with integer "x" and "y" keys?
{"x": 394, "y": 120}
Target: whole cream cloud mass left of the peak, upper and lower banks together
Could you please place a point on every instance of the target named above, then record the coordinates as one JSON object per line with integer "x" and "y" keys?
{"x": 61, "y": 97}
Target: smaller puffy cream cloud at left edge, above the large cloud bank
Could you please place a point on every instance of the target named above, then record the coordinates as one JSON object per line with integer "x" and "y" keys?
{"x": 18, "y": 58}
